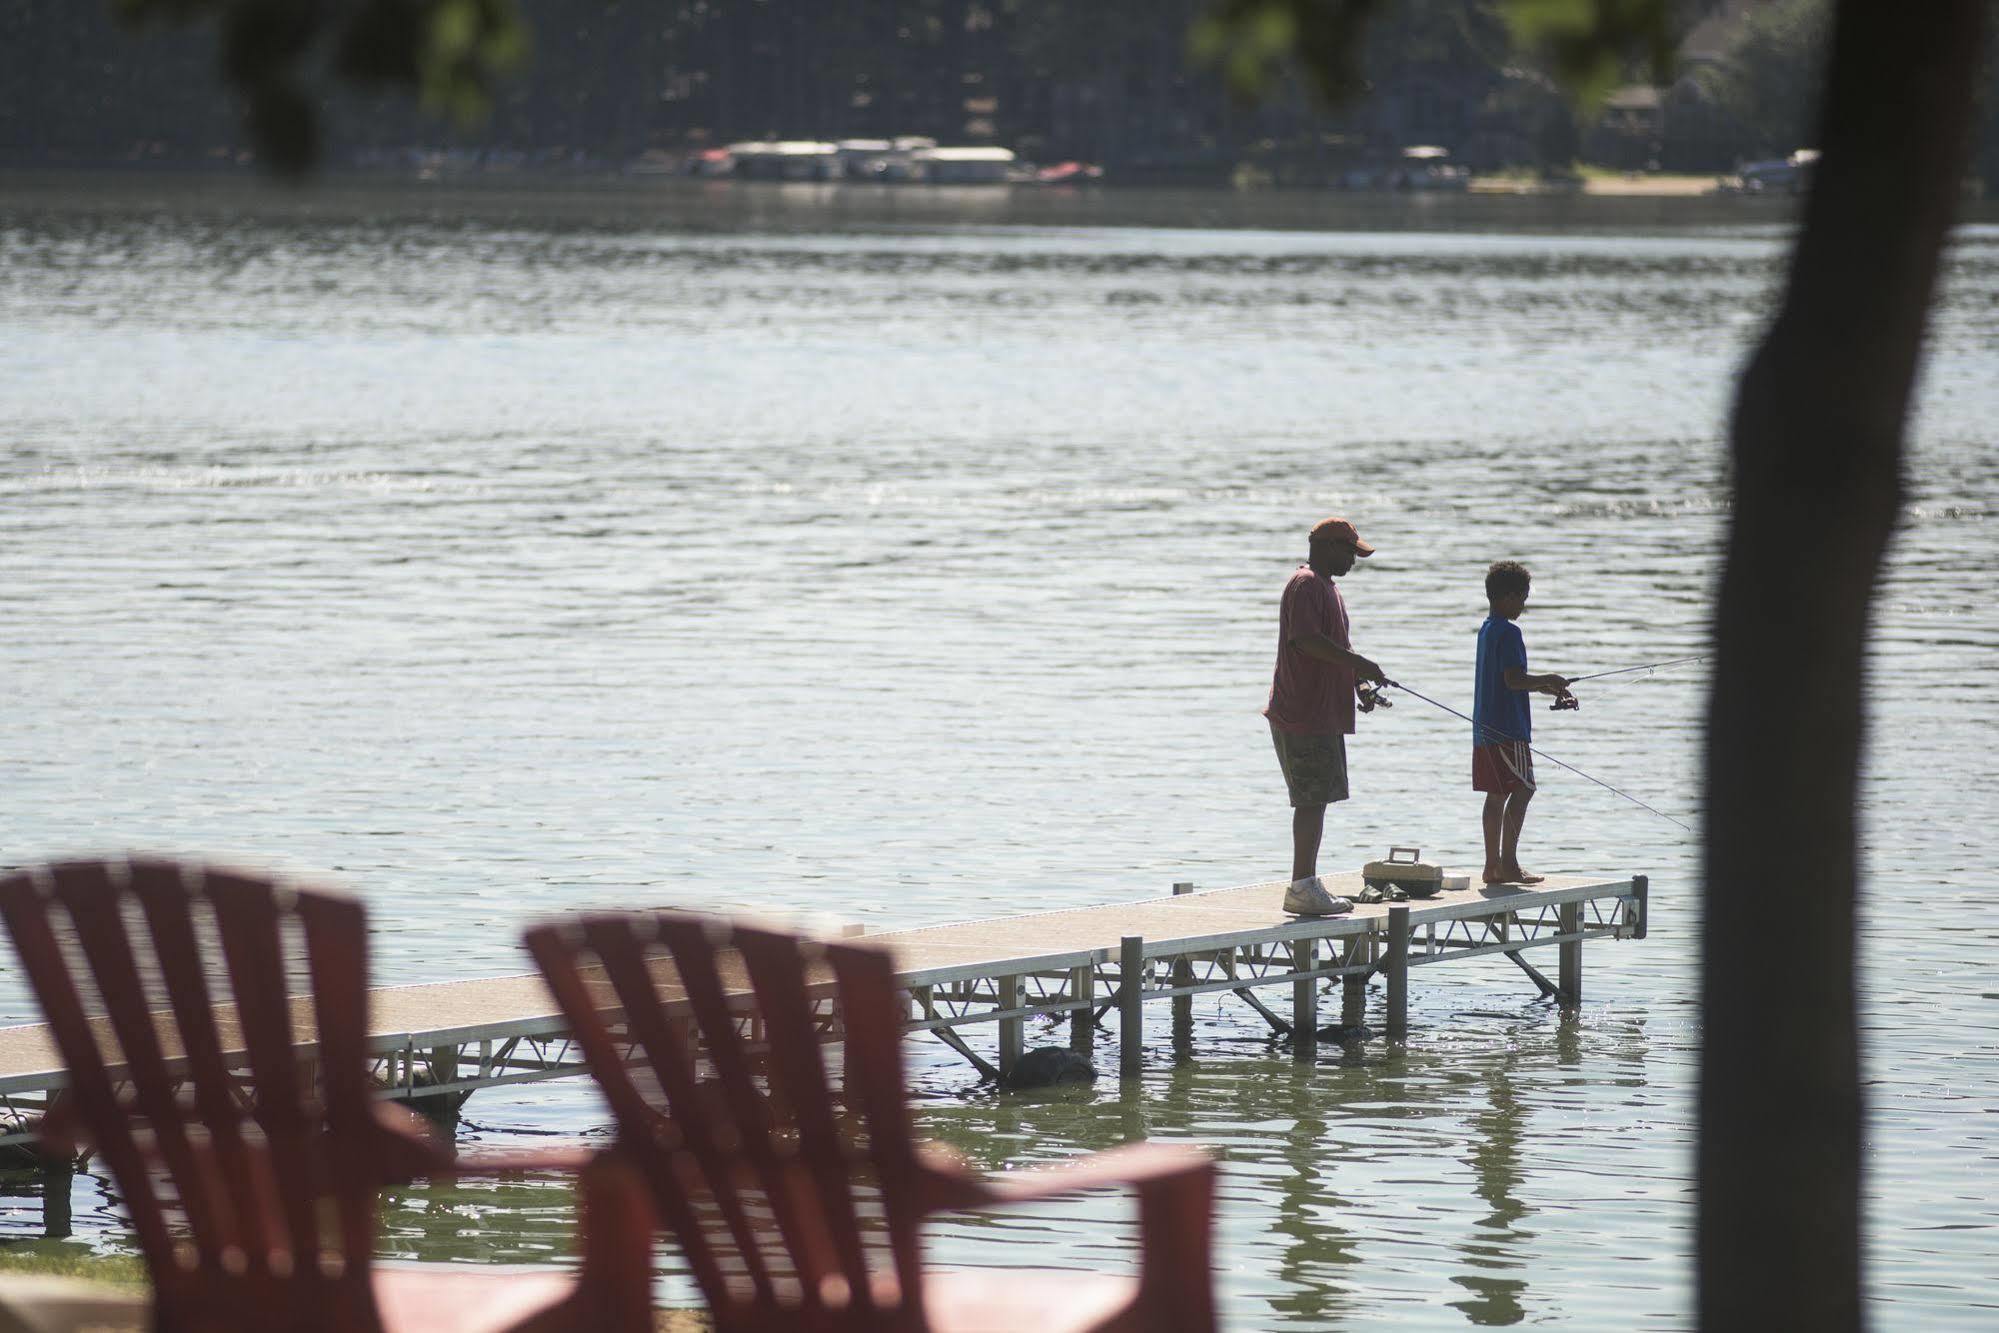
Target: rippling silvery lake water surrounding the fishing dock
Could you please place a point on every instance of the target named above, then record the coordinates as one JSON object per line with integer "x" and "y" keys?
{"x": 519, "y": 551}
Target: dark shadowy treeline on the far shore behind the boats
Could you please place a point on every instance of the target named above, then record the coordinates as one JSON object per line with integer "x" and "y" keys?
{"x": 1108, "y": 81}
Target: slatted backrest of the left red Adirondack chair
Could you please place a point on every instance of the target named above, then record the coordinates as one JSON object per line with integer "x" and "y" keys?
{"x": 195, "y": 1012}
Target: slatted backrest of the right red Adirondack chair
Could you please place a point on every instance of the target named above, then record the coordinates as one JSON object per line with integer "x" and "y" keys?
{"x": 795, "y": 1208}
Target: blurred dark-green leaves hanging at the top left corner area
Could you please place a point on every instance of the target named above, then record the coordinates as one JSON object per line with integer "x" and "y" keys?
{"x": 275, "y": 51}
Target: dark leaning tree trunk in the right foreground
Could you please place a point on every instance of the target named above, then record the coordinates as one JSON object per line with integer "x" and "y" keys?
{"x": 1818, "y": 453}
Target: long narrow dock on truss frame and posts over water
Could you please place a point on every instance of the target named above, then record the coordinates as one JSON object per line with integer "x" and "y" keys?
{"x": 449, "y": 1040}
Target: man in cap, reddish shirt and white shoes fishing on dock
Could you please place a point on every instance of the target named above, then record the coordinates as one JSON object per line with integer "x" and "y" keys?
{"x": 1312, "y": 702}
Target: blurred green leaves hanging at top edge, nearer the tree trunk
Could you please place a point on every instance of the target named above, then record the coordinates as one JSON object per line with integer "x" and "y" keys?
{"x": 1588, "y": 45}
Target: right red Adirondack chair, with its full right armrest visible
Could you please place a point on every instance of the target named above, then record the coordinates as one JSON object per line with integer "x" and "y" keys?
{"x": 801, "y": 1208}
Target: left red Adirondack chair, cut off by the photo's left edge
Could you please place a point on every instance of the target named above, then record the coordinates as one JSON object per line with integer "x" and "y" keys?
{"x": 215, "y": 1034}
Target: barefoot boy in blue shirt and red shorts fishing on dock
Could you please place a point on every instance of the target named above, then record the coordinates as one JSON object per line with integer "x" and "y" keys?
{"x": 1502, "y": 724}
